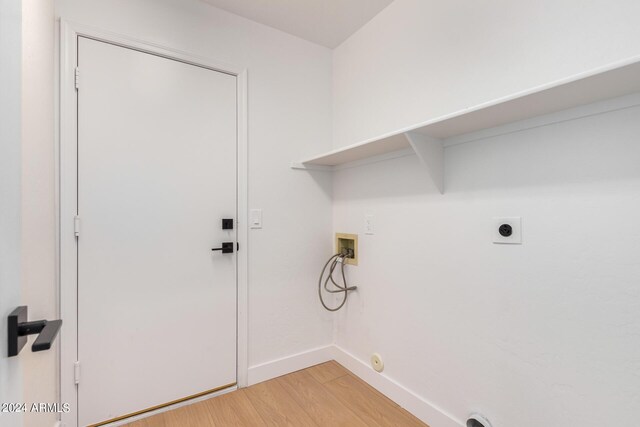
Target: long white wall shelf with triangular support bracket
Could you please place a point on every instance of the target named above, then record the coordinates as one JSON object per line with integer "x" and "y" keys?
{"x": 427, "y": 138}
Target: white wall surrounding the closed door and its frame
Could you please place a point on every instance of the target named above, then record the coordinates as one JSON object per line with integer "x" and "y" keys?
{"x": 289, "y": 115}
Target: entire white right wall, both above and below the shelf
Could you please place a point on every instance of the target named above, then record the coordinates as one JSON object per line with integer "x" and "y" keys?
{"x": 539, "y": 334}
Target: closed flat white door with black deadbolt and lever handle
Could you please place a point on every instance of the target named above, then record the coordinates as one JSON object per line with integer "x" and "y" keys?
{"x": 156, "y": 176}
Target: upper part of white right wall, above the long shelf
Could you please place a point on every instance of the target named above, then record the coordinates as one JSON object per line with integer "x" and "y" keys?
{"x": 420, "y": 59}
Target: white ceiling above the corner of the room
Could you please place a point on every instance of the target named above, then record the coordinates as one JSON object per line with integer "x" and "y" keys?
{"x": 325, "y": 22}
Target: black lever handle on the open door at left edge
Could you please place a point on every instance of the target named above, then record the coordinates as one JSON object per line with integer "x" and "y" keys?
{"x": 19, "y": 328}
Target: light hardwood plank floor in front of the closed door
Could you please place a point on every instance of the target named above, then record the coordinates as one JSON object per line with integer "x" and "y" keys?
{"x": 325, "y": 395}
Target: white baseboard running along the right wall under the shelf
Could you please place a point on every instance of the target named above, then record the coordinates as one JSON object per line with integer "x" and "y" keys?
{"x": 418, "y": 406}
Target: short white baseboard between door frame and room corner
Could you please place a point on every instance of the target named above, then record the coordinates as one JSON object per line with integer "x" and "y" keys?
{"x": 276, "y": 368}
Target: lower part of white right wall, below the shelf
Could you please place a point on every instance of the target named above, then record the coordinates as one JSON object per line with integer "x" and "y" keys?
{"x": 543, "y": 334}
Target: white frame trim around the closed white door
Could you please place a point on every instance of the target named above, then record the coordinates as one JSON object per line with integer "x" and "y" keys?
{"x": 67, "y": 143}
